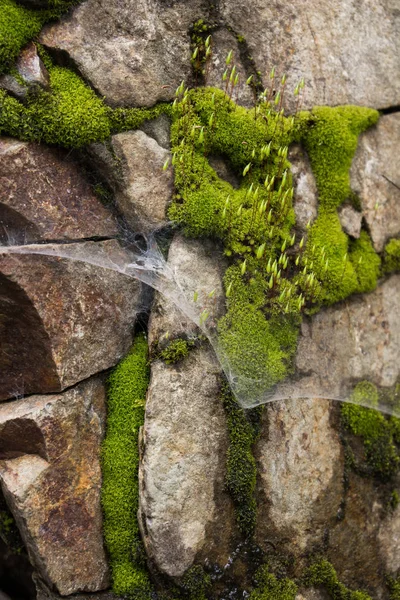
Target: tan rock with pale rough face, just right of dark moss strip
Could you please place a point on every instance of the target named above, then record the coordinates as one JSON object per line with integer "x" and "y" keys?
{"x": 300, "y": 465}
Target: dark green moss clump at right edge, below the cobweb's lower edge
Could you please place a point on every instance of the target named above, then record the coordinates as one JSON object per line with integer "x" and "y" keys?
{"x": 379, "y": 434}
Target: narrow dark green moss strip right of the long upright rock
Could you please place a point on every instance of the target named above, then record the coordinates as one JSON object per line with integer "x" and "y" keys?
{"x": 241, "y": 469}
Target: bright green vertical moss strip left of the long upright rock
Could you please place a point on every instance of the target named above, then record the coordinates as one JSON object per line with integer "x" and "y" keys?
{"x": 127, "y": 387}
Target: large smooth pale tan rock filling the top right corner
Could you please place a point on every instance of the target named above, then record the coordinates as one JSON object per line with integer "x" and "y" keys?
{"x": 346, "y": 53}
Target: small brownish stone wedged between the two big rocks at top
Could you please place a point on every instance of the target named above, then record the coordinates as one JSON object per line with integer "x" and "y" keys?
{"x": 223, "y": 41}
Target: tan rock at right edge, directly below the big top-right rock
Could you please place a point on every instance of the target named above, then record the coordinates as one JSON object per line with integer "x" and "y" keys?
{"x": 375, "y": 178}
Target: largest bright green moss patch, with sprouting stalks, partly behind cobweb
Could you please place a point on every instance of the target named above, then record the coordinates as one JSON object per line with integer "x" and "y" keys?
{"x": 273, "y": 277}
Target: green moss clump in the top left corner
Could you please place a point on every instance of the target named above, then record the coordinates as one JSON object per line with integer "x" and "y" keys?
{"x": 19, "y": 25}
